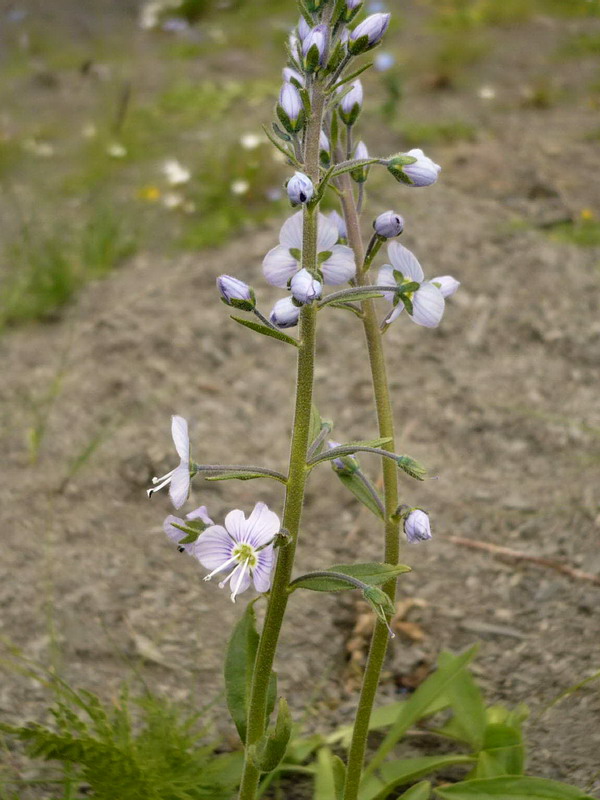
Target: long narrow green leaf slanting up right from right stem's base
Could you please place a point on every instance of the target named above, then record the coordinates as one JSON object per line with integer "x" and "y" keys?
{"x": 418, "y": 703}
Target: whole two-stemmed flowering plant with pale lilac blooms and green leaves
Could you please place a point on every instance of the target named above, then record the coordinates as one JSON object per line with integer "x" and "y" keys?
{"x": 318, "y": 108}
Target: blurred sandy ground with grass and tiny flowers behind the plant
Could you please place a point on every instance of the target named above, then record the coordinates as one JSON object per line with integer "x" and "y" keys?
{"x": 134, "y": 171}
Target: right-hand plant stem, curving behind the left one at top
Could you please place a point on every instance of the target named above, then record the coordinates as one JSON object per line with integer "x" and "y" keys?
{"x": 385, "y": 419}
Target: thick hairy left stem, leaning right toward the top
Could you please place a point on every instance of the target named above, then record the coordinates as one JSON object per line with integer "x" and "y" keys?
{"x": 297, "y": 473}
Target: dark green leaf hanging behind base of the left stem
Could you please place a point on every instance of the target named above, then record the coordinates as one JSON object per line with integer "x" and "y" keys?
{"x": 239, "y": 665}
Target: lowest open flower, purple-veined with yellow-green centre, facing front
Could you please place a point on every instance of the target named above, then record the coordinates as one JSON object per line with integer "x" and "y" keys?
{"x": 244, "y": 547}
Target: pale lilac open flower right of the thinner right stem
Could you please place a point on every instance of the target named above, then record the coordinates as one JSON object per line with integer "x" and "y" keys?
{"x": 425, "y": 304}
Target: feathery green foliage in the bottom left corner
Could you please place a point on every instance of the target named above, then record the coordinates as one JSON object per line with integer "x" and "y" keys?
{"x": 146, "y": 748}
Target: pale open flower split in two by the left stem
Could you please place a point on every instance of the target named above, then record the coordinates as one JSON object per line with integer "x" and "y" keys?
{"x": 336, "y": 261}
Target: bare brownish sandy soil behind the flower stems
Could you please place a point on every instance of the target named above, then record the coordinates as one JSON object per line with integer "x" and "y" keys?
{"x": 501, "y": 403}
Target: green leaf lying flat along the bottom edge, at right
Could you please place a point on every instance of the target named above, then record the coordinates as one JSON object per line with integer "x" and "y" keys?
{"x": 511, "y": 788}
